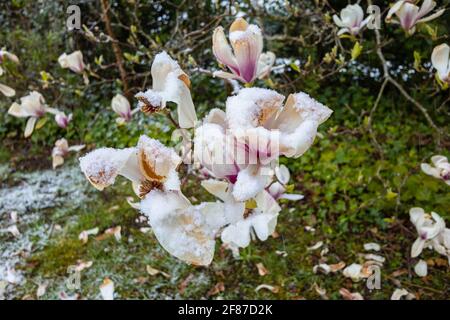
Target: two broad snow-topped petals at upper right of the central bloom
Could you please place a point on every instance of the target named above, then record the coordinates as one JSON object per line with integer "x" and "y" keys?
{"x": 260, "y": 112}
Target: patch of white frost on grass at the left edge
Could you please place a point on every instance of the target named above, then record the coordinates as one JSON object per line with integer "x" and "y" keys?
{"x": 31, "y": 194}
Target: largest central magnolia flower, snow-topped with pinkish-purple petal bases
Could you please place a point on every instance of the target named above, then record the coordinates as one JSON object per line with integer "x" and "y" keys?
{"x": 240, "y": 145}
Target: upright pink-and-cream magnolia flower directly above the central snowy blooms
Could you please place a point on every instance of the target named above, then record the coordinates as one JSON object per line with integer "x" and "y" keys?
{"x": 247, "y": 62}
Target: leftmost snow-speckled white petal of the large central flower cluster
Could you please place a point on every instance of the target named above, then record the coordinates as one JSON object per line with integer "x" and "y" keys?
{"x": 103, "y": 165}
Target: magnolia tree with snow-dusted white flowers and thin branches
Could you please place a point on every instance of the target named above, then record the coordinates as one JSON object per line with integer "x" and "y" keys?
{"x": 235, "y": 150}
